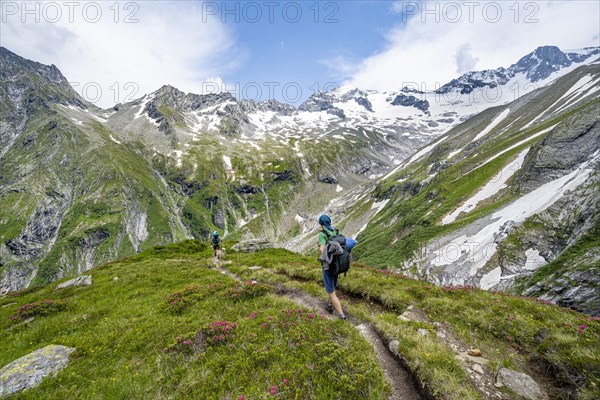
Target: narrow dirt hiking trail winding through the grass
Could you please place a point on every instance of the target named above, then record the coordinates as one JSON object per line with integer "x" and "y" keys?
{"x": 403, "y": 386}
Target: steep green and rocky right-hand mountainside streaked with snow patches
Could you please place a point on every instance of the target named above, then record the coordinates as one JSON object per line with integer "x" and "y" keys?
{"x": 507, "y": 200}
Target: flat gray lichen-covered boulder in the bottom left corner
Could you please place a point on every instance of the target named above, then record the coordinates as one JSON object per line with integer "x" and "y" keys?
{"x": 29, "y": 371}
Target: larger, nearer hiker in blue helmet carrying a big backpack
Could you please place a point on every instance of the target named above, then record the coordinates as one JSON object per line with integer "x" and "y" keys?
{"x": 331, "y": 252}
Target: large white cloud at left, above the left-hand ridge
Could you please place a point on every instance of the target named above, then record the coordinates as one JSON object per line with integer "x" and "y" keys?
{"x": 171, "y": 43}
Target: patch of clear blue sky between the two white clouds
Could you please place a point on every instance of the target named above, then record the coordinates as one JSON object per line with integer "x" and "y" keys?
{"x": 278, "y": 51}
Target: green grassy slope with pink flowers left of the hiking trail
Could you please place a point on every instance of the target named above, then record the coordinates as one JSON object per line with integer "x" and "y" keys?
{"x": 122, "y": 327}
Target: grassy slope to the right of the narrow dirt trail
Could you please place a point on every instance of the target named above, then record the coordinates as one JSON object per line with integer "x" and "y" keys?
{"x": 512, "y": 332}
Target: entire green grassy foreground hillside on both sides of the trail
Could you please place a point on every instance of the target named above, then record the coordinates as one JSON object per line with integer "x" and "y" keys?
{"x": 121, "y": 328}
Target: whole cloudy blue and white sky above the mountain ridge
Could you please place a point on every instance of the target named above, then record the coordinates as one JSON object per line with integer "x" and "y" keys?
{"x": 117, "y": 51}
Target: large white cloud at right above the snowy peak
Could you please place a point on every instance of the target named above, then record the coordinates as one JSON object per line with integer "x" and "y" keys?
{"x": 440, "y": 38}
